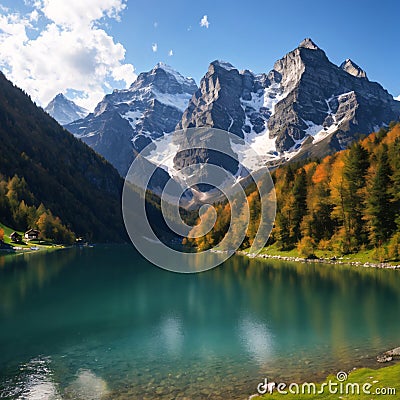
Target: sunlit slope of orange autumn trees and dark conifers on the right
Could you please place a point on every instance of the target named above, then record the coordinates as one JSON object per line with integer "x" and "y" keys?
{"x": 346, "y": 202}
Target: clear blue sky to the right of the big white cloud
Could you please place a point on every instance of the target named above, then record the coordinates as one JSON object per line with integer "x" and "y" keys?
{"x": 255, "y": 34}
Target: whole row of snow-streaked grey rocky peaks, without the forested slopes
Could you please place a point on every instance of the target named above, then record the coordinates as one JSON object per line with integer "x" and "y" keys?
{"x": 306, "y": 106}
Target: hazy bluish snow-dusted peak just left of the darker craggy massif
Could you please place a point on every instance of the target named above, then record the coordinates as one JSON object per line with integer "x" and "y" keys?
{"x": 126, "y": 121}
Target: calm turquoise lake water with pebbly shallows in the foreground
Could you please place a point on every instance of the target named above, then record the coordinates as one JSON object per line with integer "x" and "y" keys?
{"x": 102, "y": 323}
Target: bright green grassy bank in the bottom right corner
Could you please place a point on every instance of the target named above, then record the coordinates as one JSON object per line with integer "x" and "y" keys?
{"x": 383, "y": 383}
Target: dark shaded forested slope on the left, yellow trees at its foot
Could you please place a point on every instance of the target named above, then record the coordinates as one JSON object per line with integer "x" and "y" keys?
{"x": 51, "y": 180}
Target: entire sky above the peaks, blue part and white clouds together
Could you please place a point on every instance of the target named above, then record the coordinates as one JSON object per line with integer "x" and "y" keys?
{"x": 117, "y": 39}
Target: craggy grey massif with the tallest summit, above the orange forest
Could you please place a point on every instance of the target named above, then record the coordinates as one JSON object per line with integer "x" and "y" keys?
{"x": 305, "y": 106}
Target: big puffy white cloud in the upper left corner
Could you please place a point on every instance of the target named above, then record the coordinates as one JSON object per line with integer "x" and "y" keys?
{"x": 70, "y": 52}
